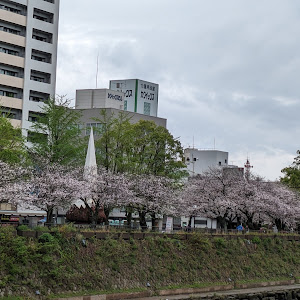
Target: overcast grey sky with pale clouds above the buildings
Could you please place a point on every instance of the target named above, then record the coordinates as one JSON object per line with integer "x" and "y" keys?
{"x": 228, "y": 71}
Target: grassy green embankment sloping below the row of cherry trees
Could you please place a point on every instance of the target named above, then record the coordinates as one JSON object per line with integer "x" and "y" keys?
{"x": 62, "y": 264}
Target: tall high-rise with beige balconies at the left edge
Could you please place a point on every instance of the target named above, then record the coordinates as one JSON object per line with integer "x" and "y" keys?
{"x": 28, "y": 56}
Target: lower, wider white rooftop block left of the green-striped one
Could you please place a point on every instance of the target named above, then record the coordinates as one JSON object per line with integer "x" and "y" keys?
{"x": 99, "y": 98}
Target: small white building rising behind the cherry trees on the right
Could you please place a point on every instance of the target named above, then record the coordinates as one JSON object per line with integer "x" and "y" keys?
{"x": 199, "y": 161}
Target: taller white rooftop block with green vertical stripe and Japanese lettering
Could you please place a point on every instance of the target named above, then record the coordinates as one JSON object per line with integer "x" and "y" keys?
{"x": 140, "y": 96}
